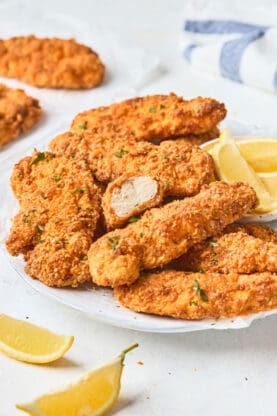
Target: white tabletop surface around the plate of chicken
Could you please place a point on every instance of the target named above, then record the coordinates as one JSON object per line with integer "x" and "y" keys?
{"x": 212, "y": 373}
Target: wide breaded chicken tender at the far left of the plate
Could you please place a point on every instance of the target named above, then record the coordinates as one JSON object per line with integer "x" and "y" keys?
{"x": 57, "y": 221}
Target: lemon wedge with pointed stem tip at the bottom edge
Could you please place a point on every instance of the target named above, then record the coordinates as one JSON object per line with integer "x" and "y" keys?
{"x": 93, "y": 395}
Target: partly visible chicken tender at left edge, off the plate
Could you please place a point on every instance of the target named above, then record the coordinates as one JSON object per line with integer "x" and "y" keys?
{"x": 18, "y": 113}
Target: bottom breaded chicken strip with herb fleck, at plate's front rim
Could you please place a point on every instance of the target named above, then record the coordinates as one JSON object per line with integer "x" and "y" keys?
{"x": 200, "y": 296}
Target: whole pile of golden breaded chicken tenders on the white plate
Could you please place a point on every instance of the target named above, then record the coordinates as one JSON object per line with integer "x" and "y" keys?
{"x": 127, "y": 199}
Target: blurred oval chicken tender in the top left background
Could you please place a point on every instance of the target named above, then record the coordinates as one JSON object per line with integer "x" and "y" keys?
{"x": 50, "y": 62}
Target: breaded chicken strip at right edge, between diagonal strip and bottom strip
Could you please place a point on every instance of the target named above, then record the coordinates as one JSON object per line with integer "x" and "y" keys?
{"x": 232, "y": 251}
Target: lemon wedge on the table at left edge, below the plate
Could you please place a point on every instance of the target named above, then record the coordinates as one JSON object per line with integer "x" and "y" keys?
{"x": 26, "y": 342}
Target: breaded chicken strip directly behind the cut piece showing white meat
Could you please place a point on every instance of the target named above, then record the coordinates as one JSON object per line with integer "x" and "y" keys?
{"x": 180, "y": 167}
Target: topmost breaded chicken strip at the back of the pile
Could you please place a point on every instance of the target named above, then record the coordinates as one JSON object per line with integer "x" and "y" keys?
{"x": 155, "y": 117}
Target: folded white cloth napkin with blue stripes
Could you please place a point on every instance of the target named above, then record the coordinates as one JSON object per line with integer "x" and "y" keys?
{"x": 239, "y": 43}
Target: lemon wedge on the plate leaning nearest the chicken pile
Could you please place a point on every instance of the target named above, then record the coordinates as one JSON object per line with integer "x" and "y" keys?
{"x": 231, "y": 166}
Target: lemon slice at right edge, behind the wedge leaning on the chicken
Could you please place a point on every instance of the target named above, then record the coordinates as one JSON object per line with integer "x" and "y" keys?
{"x": 260, "y": 153}
